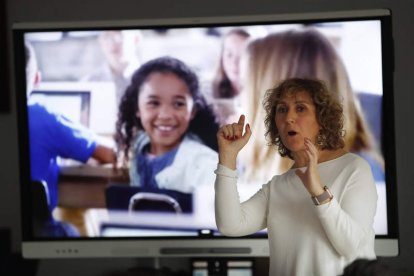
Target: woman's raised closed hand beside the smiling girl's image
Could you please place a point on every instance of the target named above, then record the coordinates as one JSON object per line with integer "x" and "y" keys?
{"x": 231, "y": 140}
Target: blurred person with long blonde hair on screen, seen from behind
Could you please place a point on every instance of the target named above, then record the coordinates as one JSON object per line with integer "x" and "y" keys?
{"x": 303, "y": 53}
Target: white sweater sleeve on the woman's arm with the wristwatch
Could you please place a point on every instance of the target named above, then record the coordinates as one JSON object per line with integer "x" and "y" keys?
{"x": 348, "y": 221}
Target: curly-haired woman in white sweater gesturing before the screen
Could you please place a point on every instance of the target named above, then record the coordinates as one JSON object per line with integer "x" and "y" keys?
{"x": 319, "y": 214}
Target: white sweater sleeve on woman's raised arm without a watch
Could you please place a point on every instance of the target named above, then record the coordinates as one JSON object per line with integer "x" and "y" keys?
{"x": 232, "y": 217}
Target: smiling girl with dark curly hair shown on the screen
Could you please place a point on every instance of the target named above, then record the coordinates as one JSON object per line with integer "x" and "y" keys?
{"x": 166, "y": 127}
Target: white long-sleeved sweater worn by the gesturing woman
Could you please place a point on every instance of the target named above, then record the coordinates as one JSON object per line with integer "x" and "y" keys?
{"x": 305, "y": 239}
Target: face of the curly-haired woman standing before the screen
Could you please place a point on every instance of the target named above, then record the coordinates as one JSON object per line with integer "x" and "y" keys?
{"x": 296, "y": 120}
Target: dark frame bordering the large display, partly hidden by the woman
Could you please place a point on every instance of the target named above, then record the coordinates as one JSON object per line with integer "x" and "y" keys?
{"x": 202, "y": 246}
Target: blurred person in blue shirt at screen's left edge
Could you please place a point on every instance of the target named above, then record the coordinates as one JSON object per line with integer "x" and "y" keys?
{"x": 52, "y": 135}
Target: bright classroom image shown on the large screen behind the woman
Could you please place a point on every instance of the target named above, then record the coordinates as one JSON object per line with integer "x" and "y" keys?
{"x": 128, "y": 119}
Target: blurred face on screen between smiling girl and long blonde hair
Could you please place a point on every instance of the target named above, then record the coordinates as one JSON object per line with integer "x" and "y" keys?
{"x": 233, "y": 47}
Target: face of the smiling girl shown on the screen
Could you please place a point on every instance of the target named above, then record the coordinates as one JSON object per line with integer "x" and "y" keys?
{"x": 165, "y": 108}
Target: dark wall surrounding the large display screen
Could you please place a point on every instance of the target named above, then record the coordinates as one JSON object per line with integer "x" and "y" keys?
{"x": 49, "y": 10}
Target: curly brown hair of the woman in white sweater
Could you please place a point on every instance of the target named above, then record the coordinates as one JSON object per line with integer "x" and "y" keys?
{"x": 329, "y": 113}
